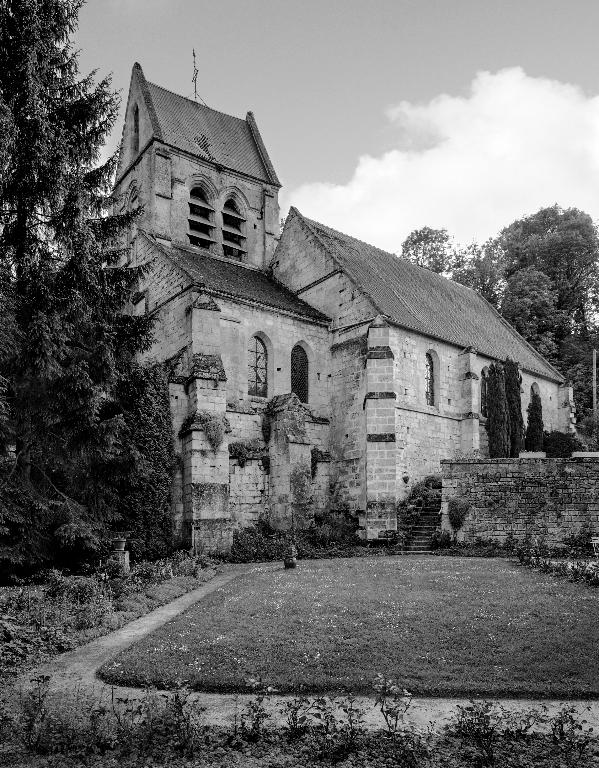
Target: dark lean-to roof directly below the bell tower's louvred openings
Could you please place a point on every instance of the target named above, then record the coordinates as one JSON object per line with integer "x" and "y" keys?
{"x": 232, "y": 279}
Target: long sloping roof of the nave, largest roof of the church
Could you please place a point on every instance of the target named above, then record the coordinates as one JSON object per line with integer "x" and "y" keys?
{"x": 420, "y": 300}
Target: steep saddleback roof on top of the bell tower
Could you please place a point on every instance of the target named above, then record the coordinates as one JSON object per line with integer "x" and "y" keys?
{"x": 231, "y": 142}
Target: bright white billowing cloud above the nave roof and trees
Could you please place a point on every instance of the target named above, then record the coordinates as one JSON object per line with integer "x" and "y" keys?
{"x": 471, "y": 164}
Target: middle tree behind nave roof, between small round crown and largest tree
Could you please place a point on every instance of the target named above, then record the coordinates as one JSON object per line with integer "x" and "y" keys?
{"x": 481, "y": 268}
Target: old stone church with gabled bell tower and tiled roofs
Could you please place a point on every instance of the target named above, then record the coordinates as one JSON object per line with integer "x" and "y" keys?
{"x": 308, "y": 369}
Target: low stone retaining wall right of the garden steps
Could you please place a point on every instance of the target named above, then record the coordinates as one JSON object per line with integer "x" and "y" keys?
{"x": 548, "y": 499}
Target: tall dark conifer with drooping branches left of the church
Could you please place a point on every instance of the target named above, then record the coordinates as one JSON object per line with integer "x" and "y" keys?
{"x": 69, "y": 343}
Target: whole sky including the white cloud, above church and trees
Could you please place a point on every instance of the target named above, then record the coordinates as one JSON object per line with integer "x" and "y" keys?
{"x": 384, "y": 116}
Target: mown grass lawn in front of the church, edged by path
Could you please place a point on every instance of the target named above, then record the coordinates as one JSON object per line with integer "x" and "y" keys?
{"x": 441, "y": 625}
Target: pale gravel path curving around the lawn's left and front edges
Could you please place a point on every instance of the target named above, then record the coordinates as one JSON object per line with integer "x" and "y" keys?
{"x": 74, "y": 673}
